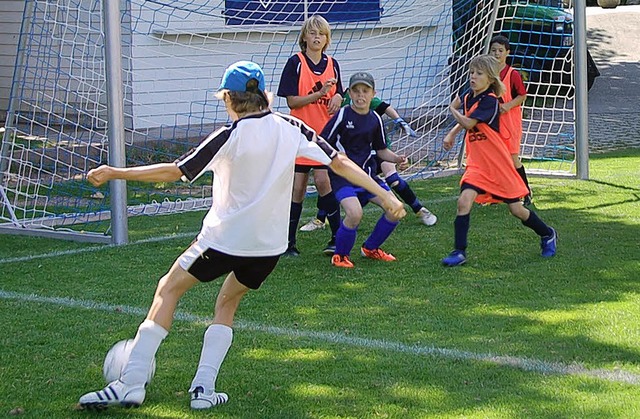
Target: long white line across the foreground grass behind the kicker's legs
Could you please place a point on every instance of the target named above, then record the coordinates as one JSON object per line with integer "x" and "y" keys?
{"x": 526, "y": 364}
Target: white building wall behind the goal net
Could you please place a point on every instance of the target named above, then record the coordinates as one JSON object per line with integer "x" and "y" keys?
{"x": 173, "y": 68}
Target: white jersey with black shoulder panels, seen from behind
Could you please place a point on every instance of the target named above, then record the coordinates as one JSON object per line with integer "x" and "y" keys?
{"x": 253, "y": 163}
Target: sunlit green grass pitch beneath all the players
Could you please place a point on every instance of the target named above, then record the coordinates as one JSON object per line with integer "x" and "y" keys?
{"x": 508, "y": 335}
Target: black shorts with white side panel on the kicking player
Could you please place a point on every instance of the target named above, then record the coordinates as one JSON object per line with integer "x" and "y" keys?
{"x": 207, "y": 265}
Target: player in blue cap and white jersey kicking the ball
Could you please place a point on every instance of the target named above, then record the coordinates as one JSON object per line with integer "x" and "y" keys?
{"x": 243, "y": 234}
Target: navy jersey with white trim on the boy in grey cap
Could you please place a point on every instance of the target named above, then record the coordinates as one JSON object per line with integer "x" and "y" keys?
{"x": 355, "y": 135}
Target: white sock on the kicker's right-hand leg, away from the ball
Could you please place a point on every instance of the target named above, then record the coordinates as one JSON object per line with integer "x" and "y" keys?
{"x": 217, "y": 341}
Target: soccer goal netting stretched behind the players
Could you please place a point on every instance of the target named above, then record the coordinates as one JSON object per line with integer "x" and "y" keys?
{"x": 174, "y": 52}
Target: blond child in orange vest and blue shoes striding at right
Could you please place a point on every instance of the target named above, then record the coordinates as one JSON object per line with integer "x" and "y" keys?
{"x": 489, "y": 170}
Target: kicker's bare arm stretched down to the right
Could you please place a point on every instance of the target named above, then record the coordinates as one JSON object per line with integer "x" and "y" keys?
{"x": 346, "y": 168}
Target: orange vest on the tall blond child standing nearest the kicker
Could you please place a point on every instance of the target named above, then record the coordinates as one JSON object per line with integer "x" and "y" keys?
{"x": 315, "y": 114}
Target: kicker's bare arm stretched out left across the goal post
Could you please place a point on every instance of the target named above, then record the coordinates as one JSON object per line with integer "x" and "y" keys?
{"x": 161, "y": 172}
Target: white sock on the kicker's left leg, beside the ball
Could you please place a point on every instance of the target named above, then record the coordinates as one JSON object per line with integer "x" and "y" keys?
{"x": 145, "y": 345}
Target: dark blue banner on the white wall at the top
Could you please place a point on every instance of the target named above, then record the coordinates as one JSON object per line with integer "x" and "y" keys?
{"x": 276, "y": 12}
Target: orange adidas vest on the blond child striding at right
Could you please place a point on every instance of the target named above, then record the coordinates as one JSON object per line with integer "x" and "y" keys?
{"x": 489, "y": 163}
